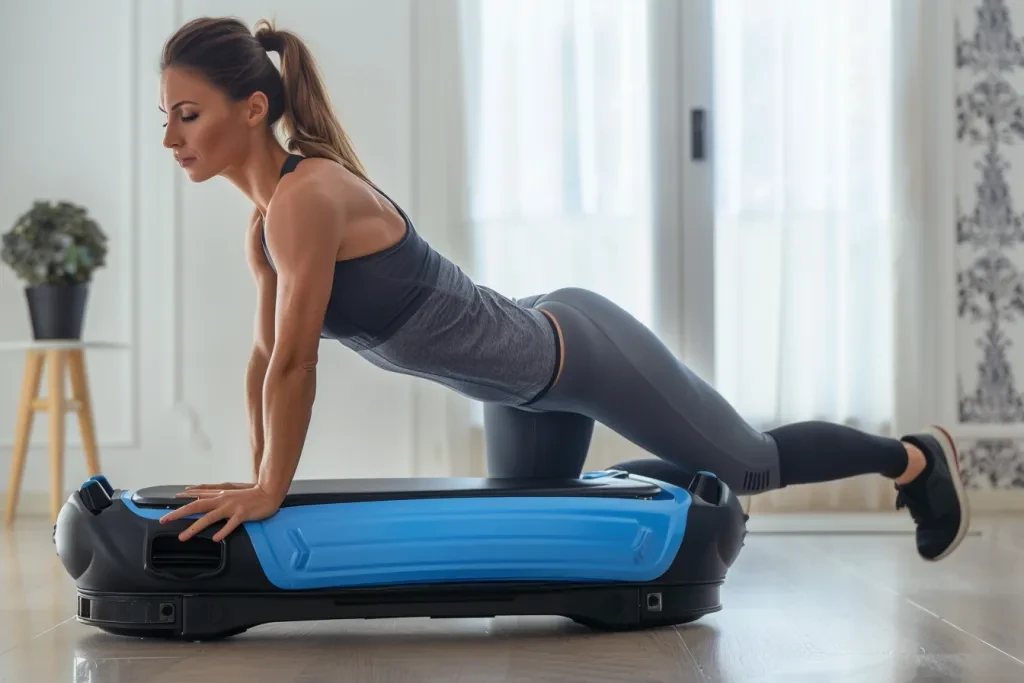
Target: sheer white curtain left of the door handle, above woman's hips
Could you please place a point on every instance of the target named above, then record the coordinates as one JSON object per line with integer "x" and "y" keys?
{"x": 558, "y": 115}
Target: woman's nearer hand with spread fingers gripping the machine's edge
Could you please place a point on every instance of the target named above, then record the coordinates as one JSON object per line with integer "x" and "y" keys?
{"x": 236, "y": 505}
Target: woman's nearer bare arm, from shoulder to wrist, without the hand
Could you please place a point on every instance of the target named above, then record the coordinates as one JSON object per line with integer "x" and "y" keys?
{"x": 303, "y": 238}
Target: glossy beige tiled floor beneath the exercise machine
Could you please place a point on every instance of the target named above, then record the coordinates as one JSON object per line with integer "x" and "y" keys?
{"x": 816, "y": 608}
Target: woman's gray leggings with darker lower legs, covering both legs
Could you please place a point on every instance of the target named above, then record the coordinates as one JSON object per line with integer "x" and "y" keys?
{"x": 619, "y": 373}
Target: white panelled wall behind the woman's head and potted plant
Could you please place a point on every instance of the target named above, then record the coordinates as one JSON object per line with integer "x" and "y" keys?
{"x": 80, "y": 122}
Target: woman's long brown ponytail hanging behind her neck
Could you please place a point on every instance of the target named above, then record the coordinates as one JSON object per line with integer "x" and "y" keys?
{"x": 308, "y": 121}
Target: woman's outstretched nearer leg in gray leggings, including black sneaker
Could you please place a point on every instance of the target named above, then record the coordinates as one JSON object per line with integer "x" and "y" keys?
{"x": 619, "y": 373}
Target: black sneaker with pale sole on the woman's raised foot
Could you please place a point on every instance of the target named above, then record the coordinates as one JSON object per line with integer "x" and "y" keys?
{"x": 936, "y": 499}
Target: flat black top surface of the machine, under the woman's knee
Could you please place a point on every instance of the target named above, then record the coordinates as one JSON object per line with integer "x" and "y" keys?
{"x": 318, "y": 492}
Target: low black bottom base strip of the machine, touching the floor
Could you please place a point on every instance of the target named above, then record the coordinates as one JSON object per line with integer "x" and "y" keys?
{"x": 198, "y": 617}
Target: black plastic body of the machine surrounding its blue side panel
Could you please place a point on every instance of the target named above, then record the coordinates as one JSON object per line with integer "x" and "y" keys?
{"x": 217, "y": 590}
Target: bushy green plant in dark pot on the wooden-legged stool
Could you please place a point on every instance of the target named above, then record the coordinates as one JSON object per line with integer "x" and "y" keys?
{"x": 55, "y": 248}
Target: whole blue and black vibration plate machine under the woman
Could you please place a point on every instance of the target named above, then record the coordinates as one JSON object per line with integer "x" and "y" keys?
{"x": 611, "y": 550}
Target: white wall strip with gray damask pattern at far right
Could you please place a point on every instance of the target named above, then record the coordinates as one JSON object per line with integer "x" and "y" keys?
{"x": 990, "y": 235}
